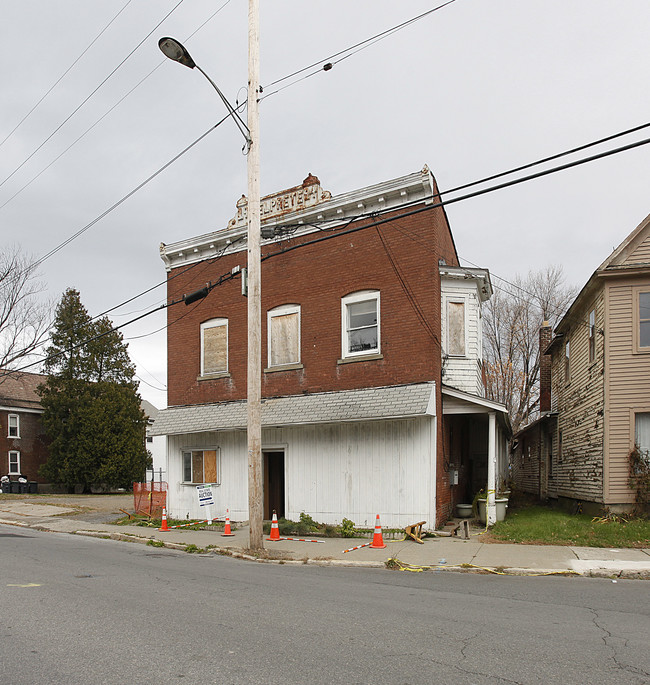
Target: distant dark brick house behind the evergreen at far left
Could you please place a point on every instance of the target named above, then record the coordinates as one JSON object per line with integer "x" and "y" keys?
{"x": 23, "y": 445}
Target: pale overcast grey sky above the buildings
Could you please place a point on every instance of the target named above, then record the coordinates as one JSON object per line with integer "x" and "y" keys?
{"x": 472, "y": 89}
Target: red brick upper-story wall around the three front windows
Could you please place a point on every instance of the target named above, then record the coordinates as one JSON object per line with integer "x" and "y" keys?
{"x": 400, "y": 259}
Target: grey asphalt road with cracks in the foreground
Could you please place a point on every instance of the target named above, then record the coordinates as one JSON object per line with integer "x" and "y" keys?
{"x": 79, "y": 610}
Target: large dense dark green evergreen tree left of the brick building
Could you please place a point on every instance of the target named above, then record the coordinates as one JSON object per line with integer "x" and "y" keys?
{"x": 91, "y": 405}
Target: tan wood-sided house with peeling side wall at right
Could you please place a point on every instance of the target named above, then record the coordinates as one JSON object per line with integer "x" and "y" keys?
{"x": 595, "y": 399}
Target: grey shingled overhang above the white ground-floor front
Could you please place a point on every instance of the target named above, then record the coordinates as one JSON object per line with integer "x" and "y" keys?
{"x": 366, "y": 404}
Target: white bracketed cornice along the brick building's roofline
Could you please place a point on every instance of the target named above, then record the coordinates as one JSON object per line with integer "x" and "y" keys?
{"x": 337, "y": 210}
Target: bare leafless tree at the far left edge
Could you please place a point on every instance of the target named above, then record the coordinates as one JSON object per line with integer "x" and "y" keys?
{"x": 24, "y": 317}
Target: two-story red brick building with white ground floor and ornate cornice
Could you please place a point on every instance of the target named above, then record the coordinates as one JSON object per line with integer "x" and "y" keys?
{"x": 355, "y": 334}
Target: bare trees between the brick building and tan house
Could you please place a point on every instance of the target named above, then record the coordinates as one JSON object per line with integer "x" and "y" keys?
{"x": 511, "y": 323}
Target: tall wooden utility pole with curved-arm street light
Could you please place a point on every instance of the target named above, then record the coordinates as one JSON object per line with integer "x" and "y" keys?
{"x": 174, "y": 50}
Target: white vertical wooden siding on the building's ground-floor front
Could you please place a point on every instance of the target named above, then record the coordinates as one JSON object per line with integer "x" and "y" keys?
{"x": 351, "y": 470}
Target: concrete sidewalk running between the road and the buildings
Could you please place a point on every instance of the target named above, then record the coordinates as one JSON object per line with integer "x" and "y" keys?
{"x": 439, "y": 553}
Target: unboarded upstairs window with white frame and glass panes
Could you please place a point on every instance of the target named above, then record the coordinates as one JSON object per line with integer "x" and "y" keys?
{"x": 360, "y": 324}
